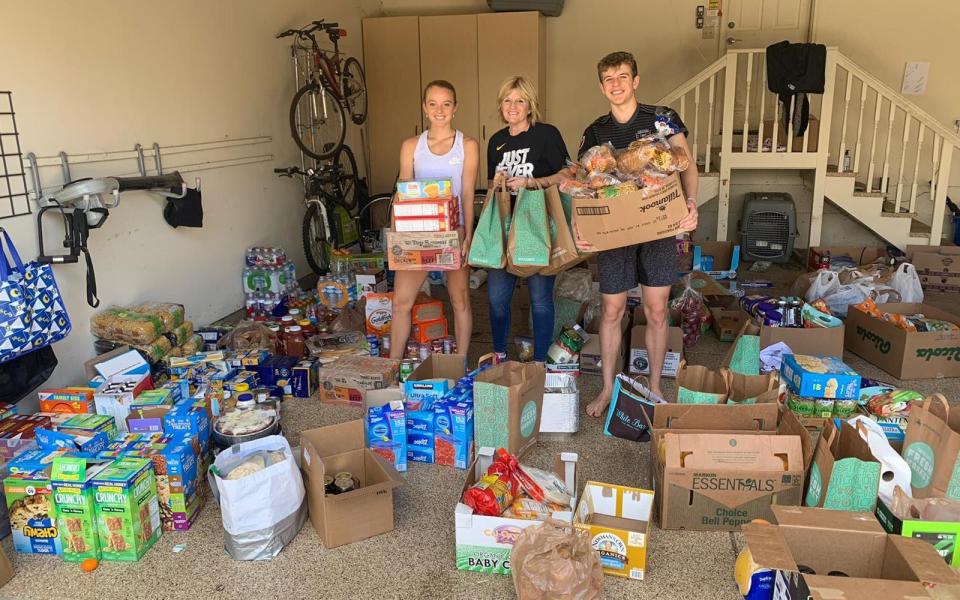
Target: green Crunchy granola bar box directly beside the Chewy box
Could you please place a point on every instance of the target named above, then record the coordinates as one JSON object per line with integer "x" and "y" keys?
{"x": 74, "y": 503}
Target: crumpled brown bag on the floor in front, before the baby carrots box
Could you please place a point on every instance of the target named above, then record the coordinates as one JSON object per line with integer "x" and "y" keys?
{"x": 552, "y": 560}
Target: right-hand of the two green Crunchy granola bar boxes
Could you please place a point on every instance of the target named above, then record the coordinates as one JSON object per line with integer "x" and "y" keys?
{"x": 128, "y": 512}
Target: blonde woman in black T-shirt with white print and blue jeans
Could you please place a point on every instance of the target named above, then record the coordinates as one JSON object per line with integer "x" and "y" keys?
{"x": 526, "y": 153}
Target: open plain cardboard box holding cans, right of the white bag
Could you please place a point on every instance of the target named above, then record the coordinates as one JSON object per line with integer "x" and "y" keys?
{"x": 356, "y": 515}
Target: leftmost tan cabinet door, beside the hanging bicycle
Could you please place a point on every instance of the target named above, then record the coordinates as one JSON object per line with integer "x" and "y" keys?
{"x": 391, "y": 57}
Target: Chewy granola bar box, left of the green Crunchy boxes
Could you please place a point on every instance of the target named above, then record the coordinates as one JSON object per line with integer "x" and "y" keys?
{"x": 33, "y": 516}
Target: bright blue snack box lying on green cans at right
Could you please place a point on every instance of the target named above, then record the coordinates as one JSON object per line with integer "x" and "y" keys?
{"x": 820, "y": 376}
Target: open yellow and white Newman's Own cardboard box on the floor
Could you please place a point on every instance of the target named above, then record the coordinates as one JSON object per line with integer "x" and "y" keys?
{"x": 618, "y": 519}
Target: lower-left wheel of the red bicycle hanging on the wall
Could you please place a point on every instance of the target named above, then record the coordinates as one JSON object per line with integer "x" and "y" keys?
{"x": 317, "y": 122}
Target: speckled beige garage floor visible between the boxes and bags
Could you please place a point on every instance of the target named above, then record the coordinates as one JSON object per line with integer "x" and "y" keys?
{"x": 416, "y": 560}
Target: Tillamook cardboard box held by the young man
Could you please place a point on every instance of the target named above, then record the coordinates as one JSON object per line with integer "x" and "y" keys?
{"x": 632, "y": 218}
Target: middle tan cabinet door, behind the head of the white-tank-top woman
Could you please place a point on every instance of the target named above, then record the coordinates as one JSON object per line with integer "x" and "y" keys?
{"x": 448, "y": 50}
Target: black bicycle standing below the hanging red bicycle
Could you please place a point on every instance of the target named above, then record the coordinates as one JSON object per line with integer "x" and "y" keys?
{"x": 326, "y": 188}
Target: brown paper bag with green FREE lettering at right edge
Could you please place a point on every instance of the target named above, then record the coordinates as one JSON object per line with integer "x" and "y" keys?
{"x": 932, "y": 448}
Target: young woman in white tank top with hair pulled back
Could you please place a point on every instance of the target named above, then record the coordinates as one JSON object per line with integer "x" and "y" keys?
{"x": 439, "y": 152}
